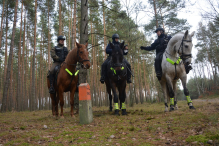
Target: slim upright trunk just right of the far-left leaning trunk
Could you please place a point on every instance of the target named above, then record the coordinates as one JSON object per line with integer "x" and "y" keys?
{"x": 19, "y": 91}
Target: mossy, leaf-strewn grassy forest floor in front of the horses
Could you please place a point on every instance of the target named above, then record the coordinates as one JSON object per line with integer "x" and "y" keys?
{"x": 146, "y": 124}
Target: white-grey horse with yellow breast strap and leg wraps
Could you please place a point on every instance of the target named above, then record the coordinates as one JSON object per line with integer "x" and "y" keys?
{"x": 177, "y": 54}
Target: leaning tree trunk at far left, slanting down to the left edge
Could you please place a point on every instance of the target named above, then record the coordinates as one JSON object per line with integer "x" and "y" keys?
{"x": 5, "y": 91}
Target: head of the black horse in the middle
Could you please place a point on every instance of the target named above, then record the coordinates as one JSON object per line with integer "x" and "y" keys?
{"x": 117, "y": 55}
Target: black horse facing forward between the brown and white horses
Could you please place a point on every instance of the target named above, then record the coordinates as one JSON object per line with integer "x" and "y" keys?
{"x": 116, "y": 78}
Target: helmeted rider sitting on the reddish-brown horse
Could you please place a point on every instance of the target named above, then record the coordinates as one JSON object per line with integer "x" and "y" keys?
{"x": 58, "y": 54}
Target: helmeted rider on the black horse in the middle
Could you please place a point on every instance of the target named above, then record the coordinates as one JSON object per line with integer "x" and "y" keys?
{"x": 115, "y": 39}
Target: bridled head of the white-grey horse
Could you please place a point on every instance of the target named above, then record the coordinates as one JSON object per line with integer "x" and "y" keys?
{"x": 185, "y": 50}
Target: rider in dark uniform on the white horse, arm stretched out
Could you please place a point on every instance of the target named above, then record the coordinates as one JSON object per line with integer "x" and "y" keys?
{"x": 160, "y": 44}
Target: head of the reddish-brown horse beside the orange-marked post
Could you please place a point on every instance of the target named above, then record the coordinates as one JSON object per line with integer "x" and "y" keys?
{"x": 82, "y": 55}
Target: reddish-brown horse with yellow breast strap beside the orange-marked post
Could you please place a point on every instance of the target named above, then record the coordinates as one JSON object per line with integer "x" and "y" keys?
{"x": 65, "y": 81}
